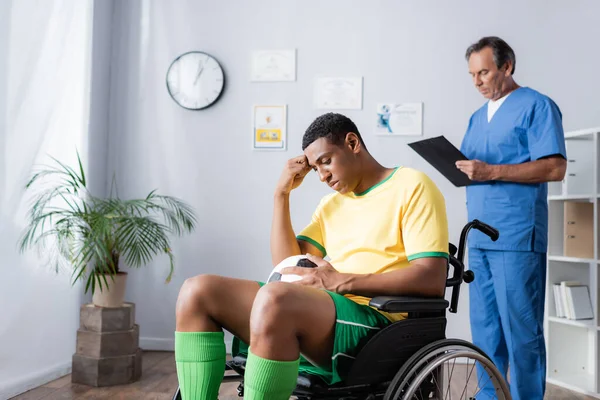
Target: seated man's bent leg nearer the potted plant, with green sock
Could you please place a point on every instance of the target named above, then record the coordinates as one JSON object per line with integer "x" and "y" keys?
{"x": 205, "y": 305}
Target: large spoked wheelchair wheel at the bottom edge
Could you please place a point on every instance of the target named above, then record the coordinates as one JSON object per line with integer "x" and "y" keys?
{"x": 446, "y": 369}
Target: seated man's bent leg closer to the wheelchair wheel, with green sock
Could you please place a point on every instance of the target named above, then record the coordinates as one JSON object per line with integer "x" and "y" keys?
{"x": 287, "y": 319}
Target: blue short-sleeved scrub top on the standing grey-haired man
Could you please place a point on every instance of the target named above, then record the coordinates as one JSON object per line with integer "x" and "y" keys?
{"x": 526, "y": 127}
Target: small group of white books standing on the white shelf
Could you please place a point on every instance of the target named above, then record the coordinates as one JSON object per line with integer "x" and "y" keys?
{"x": 572, "y": 300}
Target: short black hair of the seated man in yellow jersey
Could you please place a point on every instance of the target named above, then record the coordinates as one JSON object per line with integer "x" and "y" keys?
{"x": 334, "y": 127}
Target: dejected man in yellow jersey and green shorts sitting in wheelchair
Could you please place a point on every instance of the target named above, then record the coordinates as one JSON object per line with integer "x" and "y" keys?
{"x": 386, "y": 233}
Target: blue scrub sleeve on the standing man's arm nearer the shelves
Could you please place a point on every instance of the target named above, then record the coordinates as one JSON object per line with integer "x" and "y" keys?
{"x": 545, "y": 134}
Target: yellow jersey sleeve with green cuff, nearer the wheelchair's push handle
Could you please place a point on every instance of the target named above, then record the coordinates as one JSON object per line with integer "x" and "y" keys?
{"x": 425, "y": 223}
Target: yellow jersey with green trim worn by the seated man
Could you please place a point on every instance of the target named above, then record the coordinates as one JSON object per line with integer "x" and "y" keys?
{"x": 398, "y": 220}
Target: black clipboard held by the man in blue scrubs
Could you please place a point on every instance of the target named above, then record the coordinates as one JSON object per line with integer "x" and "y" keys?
{"x": 442, "y": 155}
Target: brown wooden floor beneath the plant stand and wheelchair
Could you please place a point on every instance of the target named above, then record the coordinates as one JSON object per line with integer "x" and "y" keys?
{"x": 159, "y": 382}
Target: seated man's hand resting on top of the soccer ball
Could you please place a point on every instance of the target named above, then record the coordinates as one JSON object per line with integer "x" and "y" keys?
{"x": 324, "y": 276}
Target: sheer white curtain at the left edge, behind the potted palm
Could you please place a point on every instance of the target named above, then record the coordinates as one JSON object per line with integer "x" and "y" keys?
{"x": 45, "y": 50}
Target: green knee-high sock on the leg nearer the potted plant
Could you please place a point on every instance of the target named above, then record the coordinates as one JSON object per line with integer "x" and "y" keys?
{"x": 200, "y": 360}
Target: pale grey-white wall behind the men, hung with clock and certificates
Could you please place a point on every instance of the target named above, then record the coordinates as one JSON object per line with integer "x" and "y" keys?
{"x": 406, "y": 51}
